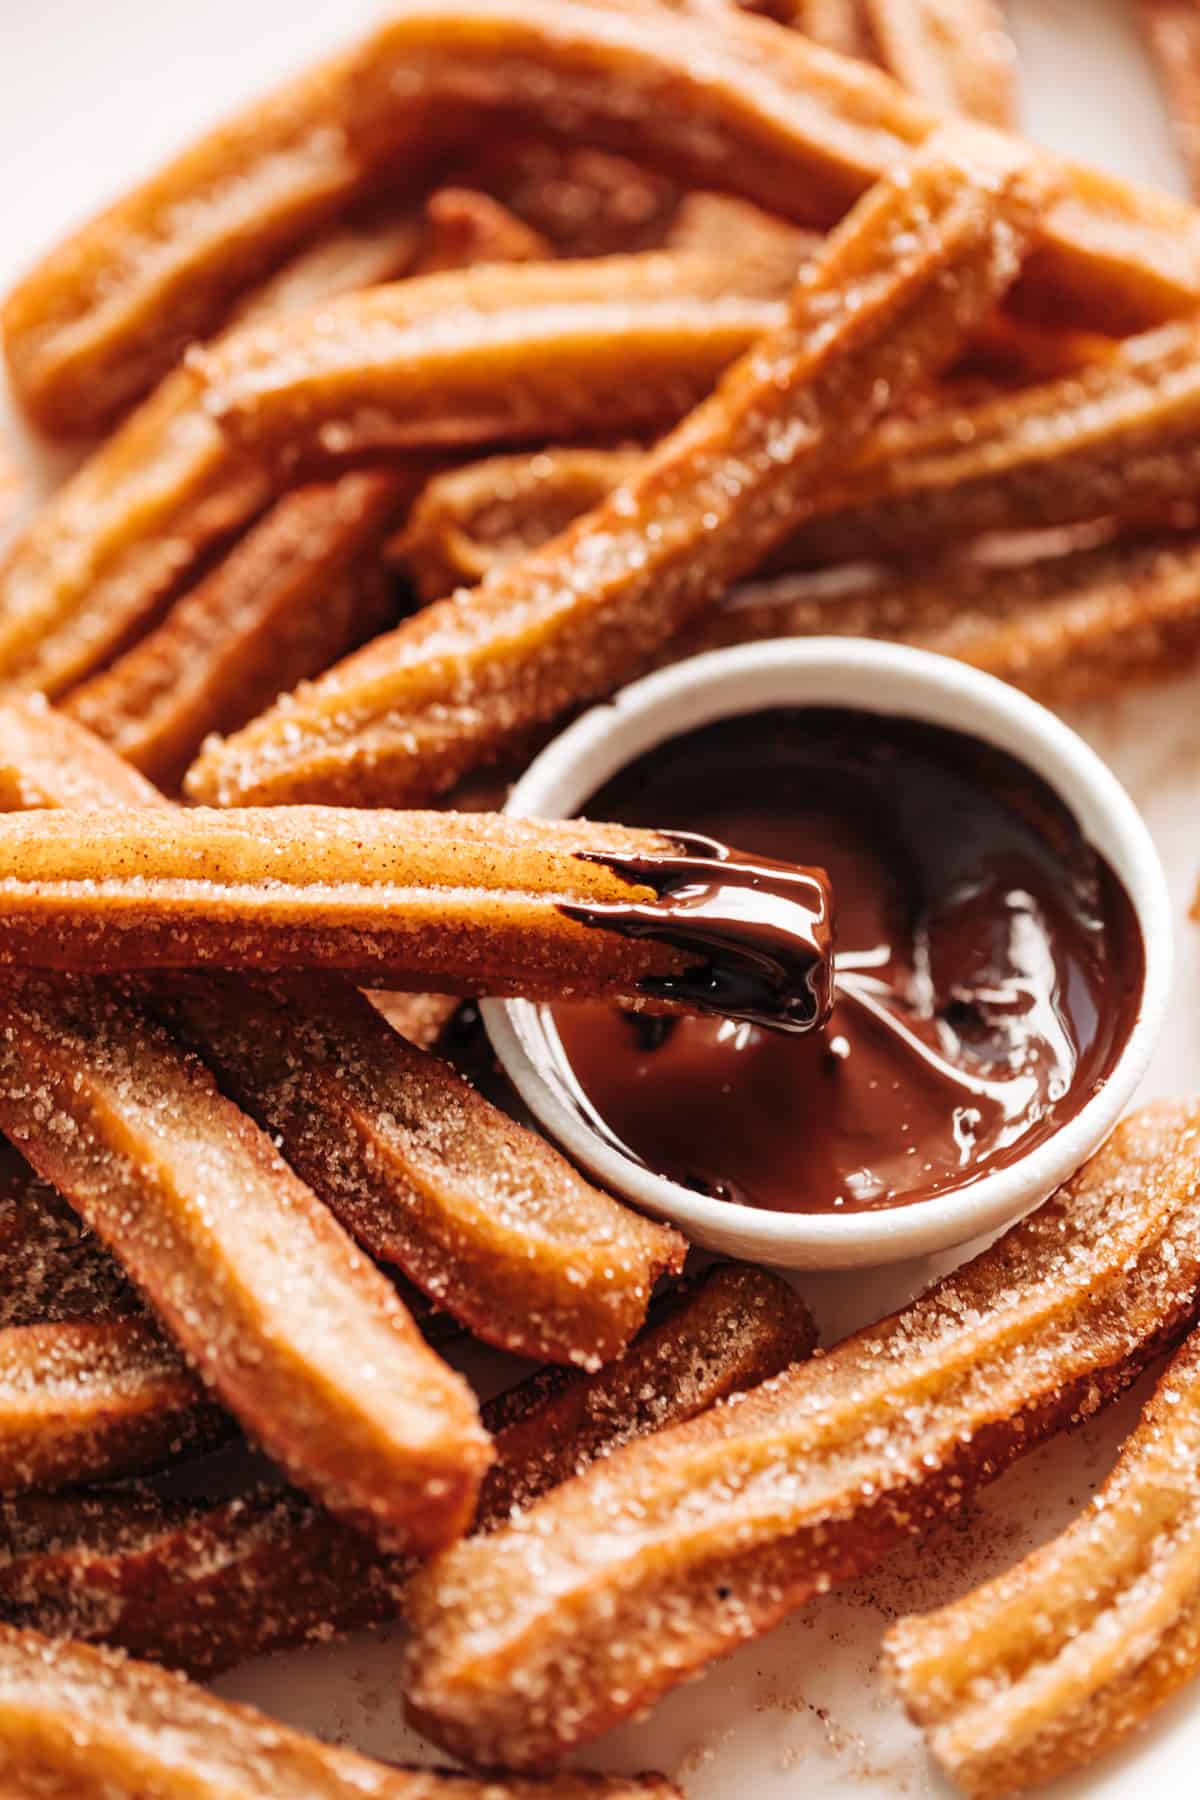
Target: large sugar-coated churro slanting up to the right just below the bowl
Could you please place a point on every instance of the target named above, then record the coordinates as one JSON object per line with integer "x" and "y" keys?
{"x": 622, "y": 1585}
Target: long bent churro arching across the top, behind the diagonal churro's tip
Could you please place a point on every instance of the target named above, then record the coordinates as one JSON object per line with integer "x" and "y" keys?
{"x": 787, "y": 125}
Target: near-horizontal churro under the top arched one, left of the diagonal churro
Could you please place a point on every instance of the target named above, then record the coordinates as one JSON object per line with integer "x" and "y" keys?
{"x": 499, "y": 352}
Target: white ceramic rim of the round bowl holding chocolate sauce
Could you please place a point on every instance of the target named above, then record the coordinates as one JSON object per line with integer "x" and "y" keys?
{"x": 890, "y": 679}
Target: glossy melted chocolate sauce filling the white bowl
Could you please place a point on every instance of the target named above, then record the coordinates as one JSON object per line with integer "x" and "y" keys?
{"x": 989, "y": 969}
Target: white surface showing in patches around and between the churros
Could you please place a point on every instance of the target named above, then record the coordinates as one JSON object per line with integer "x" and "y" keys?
{"x": 91, "y": 96}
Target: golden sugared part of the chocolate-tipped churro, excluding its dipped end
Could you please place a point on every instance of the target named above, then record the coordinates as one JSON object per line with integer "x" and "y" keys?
{"x": 469, "y": 903}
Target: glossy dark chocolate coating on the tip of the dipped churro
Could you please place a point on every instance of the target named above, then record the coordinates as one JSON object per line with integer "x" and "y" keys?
{"x": 762, "y": 931}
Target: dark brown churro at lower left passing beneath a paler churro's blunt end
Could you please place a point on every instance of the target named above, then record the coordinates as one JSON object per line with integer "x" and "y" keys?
{"x": 206, "y": 1585}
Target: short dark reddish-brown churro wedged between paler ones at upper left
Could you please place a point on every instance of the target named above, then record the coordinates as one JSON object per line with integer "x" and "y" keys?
{"x": 298, "y": 593}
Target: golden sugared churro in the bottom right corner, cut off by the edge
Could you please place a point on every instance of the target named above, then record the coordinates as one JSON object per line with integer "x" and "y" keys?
{"x": 1061, "y": 1659}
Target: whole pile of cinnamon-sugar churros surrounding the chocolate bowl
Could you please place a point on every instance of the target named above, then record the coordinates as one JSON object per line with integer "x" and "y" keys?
{"x": 506, "y": 355}
